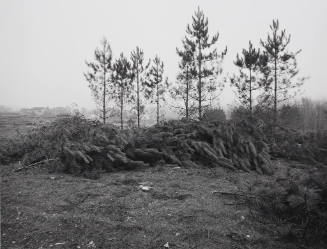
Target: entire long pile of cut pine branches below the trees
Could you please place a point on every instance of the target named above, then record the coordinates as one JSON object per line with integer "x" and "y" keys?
{"x": 80, "y": 145}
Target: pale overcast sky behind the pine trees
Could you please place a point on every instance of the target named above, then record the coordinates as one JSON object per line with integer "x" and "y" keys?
{"x": 43, "y": 43}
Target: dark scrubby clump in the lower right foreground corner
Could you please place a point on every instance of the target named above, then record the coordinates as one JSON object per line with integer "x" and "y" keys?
{"x": 298, "y": 198}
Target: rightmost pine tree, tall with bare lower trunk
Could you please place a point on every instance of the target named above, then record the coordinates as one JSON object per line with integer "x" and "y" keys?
{"x": 281, "y": 68}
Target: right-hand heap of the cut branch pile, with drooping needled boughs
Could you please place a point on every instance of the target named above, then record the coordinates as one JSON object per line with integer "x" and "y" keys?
{"x": 233, "y": 146}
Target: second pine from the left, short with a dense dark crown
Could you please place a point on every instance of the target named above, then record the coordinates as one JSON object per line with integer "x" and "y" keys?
{"x": 122, "y": 78}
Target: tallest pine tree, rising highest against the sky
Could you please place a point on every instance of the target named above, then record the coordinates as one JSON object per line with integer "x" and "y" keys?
{"x": 207, "y": 59}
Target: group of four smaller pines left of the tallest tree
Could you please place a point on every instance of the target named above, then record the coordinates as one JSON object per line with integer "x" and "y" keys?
{"x": 125, "y": 80}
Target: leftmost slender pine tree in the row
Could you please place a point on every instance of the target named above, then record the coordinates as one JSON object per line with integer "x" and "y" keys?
{"x": 99, "y": 77}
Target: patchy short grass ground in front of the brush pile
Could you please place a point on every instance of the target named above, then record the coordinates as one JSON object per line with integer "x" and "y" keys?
{"x": 40, "y": 210}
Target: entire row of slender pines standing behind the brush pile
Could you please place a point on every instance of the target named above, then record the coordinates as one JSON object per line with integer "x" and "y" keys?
{"x": 265, "y": 77}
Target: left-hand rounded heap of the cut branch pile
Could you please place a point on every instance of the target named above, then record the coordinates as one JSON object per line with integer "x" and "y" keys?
{"x": 75, "y": 143}
